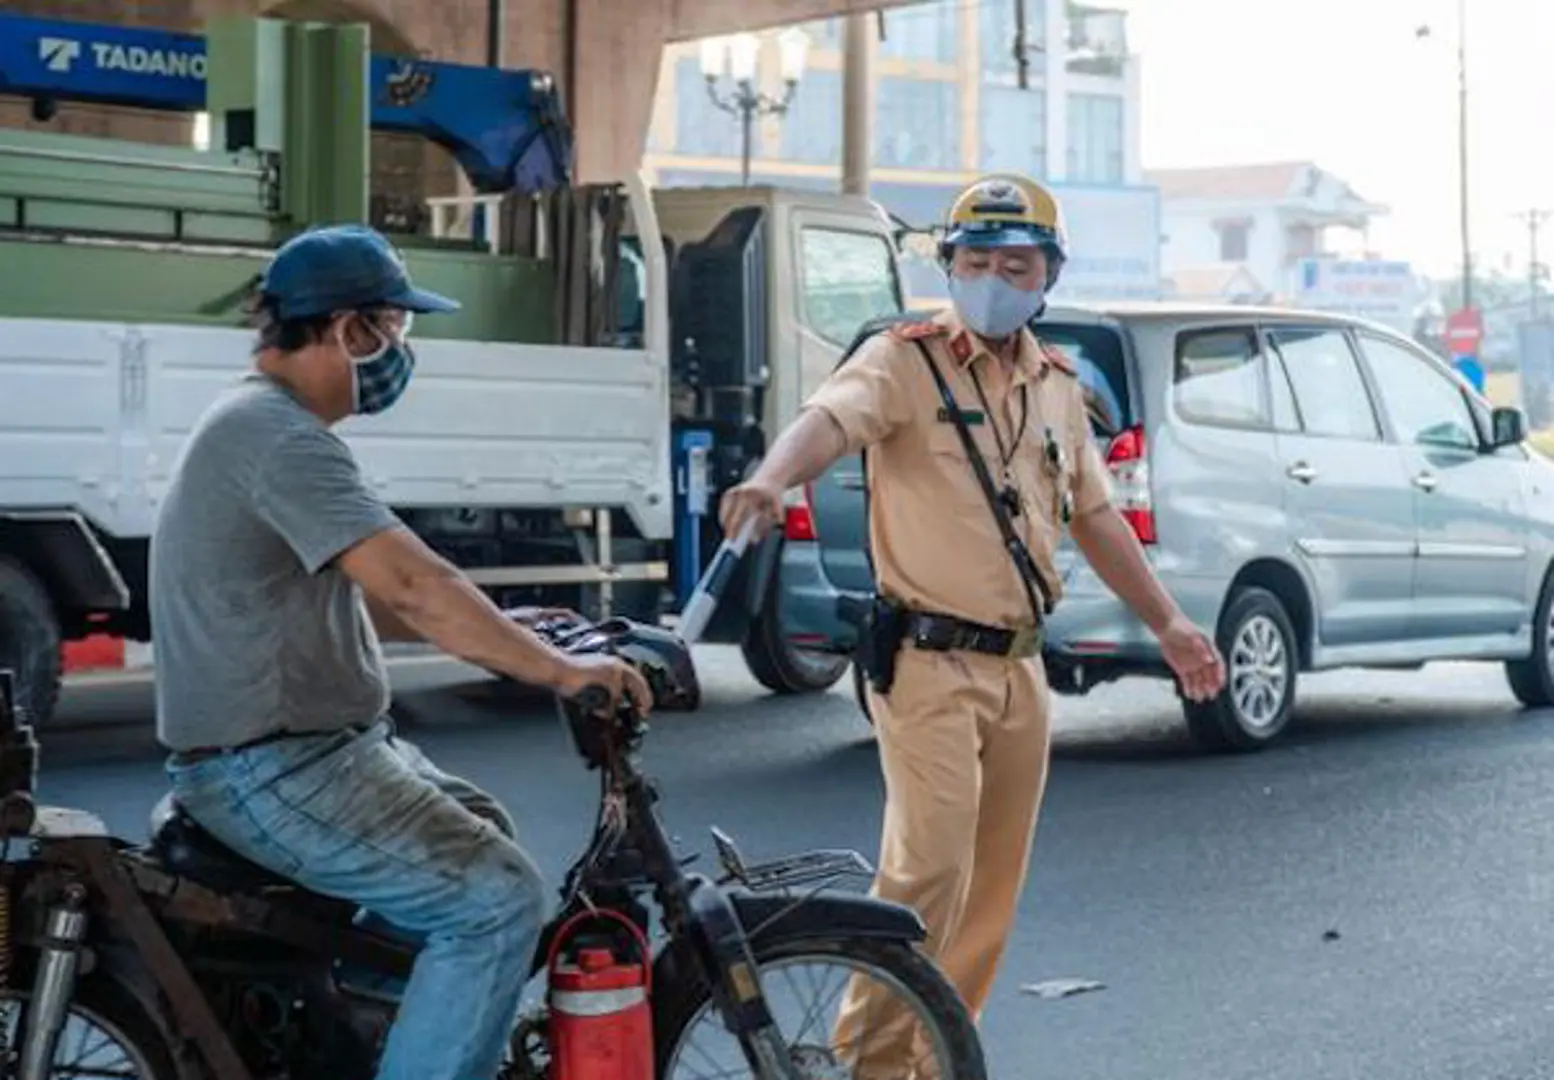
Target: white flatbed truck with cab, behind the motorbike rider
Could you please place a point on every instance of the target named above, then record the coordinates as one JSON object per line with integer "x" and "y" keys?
{"x": 580, "y": 475}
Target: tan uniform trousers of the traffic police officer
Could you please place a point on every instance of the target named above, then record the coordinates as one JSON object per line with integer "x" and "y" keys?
{"x": 964, "y": 747}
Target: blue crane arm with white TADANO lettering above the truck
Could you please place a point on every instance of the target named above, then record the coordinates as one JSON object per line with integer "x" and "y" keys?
{"x": 504, "y": 128}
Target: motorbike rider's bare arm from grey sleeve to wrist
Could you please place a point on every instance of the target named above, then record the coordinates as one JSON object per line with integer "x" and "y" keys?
{"x": 437, "y": 604}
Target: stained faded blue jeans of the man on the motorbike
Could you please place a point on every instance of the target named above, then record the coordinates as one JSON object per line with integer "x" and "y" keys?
{"x": 368, "y": 818}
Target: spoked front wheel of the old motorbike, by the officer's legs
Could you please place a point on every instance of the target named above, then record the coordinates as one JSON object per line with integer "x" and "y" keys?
{"x": 946, "y": 1045}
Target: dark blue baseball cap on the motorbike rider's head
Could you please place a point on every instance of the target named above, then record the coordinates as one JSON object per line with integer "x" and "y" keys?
{"x": 341, "y": 268}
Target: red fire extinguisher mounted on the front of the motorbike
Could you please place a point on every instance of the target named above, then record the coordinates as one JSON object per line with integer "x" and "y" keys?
{"x": 601, "y": 1012}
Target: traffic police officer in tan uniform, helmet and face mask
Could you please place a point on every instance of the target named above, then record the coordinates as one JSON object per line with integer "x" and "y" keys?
{"x": 963, "y": 728}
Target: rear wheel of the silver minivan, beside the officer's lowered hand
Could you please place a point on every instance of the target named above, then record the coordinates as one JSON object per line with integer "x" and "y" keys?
{"x": 1258, "y": 643}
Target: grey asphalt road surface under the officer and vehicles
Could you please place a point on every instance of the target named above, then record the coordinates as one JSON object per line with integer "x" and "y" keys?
{"x": 1371, "y": 899}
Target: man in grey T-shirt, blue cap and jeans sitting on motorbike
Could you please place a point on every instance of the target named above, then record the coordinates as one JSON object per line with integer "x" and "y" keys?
{"x": 271, "y": 686}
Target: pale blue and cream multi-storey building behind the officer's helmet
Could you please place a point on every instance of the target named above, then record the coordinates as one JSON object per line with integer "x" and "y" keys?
{"x": 949, "y": 106}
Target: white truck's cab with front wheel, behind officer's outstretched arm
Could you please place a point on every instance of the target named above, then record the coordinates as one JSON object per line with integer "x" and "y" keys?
{"x": 767, "y": 290}
